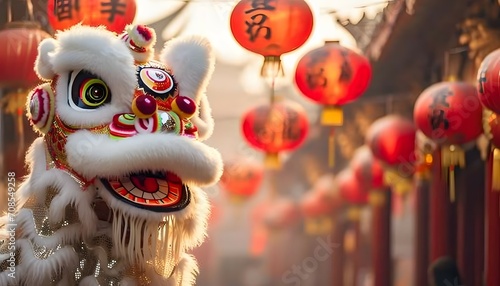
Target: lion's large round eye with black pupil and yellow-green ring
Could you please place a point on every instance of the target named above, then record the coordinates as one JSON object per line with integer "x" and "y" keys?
{"x": 87, "y": 91}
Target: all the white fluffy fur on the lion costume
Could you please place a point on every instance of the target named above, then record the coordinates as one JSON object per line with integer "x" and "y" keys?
{"x": 98, "y": 156}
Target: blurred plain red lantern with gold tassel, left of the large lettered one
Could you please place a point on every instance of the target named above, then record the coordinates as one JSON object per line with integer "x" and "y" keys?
{"x": 392, "y": 141}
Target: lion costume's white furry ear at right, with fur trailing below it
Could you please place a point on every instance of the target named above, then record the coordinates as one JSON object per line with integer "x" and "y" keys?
{"x": 192, "y": 62}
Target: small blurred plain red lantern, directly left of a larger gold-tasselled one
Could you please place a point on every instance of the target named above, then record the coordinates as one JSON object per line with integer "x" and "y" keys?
{"x": 367, "y": 170}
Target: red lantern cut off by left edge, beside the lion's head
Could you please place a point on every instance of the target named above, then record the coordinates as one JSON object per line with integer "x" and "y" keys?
{"x": 18, "y": 53}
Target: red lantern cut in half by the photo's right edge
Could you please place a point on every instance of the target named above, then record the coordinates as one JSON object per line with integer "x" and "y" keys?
{"x": 488, "y": 81}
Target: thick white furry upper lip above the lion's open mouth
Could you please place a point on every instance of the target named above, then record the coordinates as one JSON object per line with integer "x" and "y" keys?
{"x": 100, "y": 156}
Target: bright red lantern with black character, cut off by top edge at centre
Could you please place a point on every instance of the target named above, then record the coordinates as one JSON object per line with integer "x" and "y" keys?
{"x": 271, "y": 28}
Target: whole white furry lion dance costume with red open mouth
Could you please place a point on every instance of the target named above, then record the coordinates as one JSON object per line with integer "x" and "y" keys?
{"x": 113, "y": 196}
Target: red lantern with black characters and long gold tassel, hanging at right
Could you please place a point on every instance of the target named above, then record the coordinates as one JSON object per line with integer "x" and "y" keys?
{"x": 450, "y": 114}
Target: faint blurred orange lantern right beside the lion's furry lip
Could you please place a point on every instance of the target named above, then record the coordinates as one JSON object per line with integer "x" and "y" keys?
{"x": 242, "y": 178}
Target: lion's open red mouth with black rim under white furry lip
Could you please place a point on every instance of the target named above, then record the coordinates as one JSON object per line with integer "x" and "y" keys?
{"x": 156, "y": 191}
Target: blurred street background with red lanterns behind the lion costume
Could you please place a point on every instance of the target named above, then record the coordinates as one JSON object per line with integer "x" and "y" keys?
{"x": 317, "y": 188}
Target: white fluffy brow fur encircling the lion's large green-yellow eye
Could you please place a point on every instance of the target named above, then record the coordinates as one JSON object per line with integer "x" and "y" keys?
{"x": 114, "y": 64}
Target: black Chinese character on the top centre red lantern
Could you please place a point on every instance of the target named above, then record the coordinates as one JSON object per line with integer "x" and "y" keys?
{"x": 257, "y": 25}
